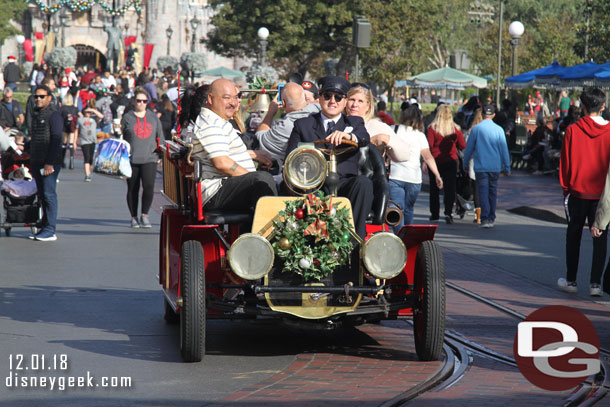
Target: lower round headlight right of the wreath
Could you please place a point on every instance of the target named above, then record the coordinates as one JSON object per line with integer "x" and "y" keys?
{"x": 384, "y": 255}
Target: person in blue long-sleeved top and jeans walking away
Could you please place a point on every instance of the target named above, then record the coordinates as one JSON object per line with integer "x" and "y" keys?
{"x": 487, "y": 145}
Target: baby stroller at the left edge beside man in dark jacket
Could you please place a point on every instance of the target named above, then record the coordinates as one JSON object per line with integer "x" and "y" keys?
{"x": 21, "y": 206}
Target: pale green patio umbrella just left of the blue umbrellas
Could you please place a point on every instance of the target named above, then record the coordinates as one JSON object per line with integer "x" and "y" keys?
{"x": 445, "y": 78}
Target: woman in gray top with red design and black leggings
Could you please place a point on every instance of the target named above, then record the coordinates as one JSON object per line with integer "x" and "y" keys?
{"x": 142, "y": 130}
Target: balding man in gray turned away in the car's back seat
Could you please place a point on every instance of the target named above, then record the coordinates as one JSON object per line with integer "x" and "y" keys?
{"x": 272, "y": 134}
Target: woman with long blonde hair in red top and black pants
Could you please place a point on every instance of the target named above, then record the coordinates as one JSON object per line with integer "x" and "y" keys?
{"x": 443, "y": 137}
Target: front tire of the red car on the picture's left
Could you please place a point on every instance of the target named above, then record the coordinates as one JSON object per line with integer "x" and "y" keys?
{"x": 192, "y": 312}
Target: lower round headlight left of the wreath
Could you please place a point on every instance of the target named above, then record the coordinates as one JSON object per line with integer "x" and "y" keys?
{"x": 251, "y": 256}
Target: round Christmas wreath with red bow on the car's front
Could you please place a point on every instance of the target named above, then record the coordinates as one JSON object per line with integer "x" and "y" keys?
{"x": 312, "y": 236}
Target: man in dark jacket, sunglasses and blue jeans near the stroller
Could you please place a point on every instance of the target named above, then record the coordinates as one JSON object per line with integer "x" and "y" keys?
{"x": 45, "y": 153}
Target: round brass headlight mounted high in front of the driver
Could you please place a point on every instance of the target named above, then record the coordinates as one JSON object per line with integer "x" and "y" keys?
{"x": 305, "y": 169}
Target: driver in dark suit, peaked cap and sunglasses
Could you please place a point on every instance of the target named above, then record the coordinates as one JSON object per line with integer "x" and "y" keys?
{"x": 332, "y": 125}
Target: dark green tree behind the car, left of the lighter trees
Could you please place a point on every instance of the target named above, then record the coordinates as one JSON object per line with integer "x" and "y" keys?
{"x": 300, "y": 31}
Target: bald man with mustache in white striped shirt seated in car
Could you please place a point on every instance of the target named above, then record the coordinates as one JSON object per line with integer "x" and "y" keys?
{"x": 230, "y": 180}
